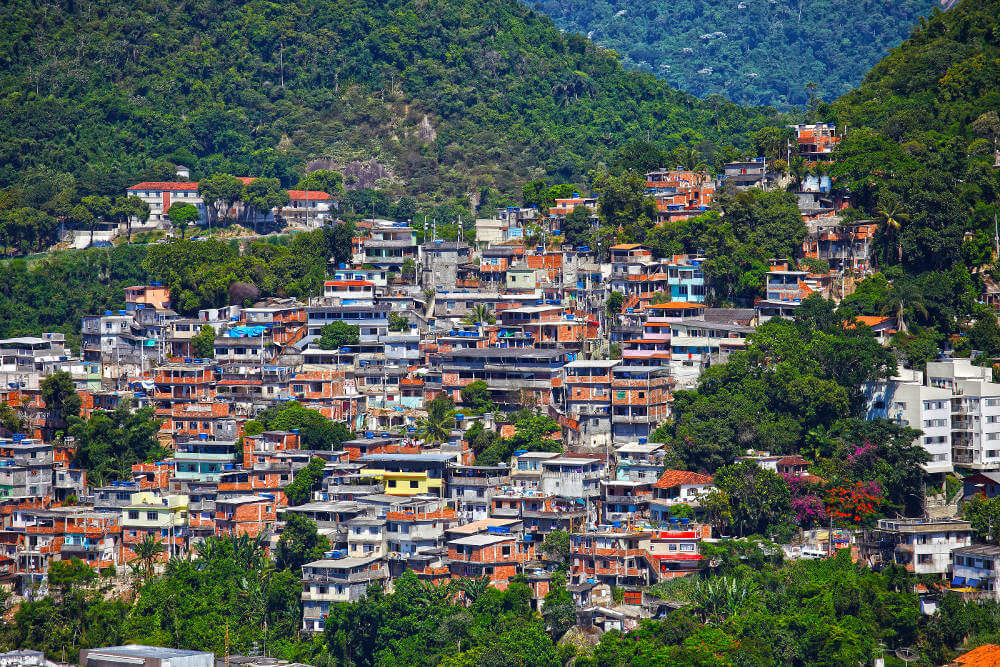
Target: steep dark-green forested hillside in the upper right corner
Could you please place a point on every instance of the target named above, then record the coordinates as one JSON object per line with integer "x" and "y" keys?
{"x": 925, "y": 125}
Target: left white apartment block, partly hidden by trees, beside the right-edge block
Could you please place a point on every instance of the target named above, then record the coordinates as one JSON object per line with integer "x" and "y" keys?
{"x": 905, "y": 400}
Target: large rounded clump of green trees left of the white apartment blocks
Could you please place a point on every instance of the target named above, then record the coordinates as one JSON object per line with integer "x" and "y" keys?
{"x": 793, "y": 380}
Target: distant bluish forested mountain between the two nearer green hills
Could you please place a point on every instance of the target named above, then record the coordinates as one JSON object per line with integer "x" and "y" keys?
{"x": 776, "y": 52}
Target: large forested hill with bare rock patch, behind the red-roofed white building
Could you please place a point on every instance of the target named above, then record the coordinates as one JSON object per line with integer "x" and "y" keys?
{"x": 452, "y": 96}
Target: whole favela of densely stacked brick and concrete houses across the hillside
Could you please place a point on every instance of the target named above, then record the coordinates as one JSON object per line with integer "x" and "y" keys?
{"x": 530, "y": 324}
